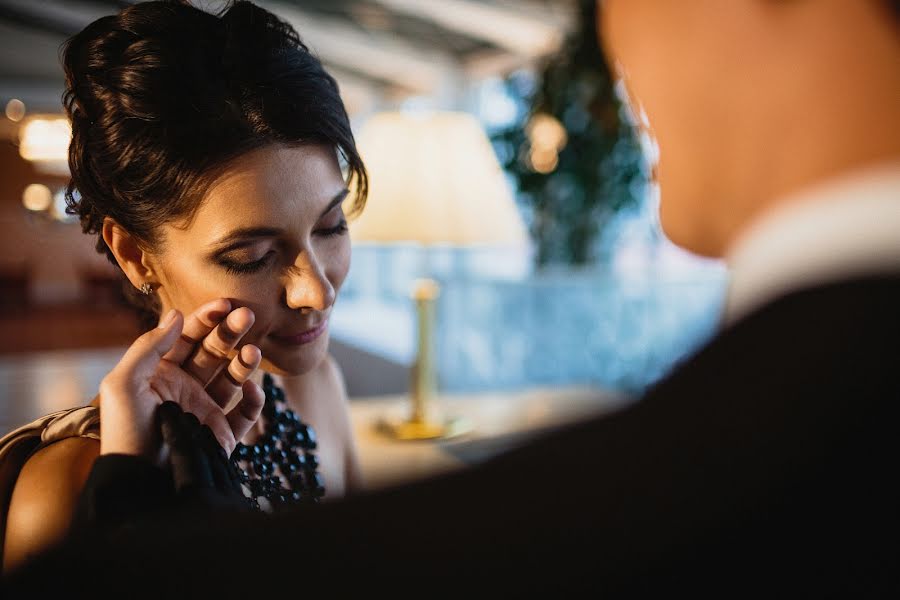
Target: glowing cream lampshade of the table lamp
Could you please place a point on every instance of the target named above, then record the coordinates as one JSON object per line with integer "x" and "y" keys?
{"x": 434, "y": 179}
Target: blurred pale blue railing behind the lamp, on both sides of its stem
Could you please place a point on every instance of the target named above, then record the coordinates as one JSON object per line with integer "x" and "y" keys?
{"x": 514, "y": 330}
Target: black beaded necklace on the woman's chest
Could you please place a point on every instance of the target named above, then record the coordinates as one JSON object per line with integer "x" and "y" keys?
{"x": 284, "y": 453}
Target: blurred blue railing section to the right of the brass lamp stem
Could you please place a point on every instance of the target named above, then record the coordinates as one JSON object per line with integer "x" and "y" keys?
{"x": 614, "y": 332}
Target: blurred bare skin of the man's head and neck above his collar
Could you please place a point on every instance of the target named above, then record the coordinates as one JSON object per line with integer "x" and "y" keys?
{"x": 752, "y": 100}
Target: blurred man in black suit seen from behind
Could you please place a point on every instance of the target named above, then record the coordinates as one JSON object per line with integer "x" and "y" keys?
{"x": 764, "y": 463}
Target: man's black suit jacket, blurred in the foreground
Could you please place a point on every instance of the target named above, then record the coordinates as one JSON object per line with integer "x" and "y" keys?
{"x": 764, "y": 465}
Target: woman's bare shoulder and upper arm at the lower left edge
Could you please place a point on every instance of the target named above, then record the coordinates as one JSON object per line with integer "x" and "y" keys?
{"x": 45, "y": 496}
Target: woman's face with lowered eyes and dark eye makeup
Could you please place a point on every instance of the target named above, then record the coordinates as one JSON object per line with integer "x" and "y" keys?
{"x": 270, "y": 235}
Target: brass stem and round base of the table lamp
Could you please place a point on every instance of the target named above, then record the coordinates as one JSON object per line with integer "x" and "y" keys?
{"x": 421, "y": 425}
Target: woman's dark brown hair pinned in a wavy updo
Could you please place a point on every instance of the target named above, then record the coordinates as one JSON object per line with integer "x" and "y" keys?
{"x": 162, "y": 96}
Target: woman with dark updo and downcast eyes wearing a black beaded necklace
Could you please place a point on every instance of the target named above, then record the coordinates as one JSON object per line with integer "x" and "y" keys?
{"x": 206, "y": 158}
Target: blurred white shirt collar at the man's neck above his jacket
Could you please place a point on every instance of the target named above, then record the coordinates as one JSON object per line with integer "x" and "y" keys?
{"x": 835, "y": 230}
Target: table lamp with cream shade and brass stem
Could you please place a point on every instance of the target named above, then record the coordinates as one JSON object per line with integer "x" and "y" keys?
{"x": 433, "y": 179}
